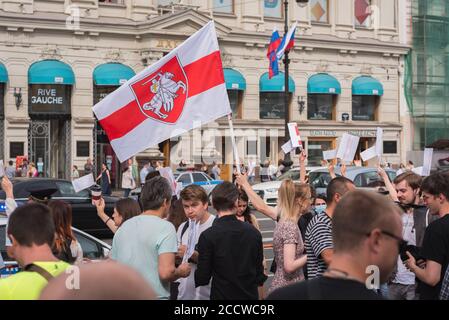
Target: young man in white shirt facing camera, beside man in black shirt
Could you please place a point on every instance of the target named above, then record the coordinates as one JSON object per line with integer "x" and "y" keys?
{"x": 195, "y": 204}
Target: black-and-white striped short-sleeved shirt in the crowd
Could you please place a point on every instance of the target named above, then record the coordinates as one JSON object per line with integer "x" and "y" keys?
{"x": 318, "y": 239}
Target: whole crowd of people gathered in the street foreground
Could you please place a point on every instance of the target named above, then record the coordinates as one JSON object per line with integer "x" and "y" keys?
{"x": 325, "y": 246}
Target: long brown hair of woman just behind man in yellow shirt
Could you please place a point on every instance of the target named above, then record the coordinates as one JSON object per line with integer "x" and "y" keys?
{"x": 62, "y": 217}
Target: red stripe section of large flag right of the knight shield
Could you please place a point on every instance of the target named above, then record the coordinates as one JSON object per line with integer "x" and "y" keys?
{"x": 204, "y": 73}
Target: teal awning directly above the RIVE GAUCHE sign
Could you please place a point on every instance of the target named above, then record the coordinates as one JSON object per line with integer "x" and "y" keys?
{"x": 50, "y": 72}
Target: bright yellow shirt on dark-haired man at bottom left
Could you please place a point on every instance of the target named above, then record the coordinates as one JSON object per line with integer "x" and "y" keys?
{"x": 27, "y": 285}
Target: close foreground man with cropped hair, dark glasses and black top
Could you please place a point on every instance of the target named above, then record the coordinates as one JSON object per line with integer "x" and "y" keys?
{"x": 366, "y": 236}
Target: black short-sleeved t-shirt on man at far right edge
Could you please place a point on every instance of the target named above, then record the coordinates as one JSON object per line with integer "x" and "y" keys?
{"x": 436, "y": 248}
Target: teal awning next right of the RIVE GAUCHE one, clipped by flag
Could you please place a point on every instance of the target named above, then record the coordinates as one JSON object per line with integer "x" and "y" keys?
{"x": 112, "y": 74}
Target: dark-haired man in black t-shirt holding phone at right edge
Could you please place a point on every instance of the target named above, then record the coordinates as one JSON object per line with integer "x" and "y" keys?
{"x": 435, "y": 248}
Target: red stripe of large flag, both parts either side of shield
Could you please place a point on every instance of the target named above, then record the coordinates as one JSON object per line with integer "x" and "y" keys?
{"x": 202, "y": 75}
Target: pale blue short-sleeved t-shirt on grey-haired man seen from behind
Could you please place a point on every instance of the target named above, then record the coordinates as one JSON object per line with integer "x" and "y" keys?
{"x": 138, "y": 244}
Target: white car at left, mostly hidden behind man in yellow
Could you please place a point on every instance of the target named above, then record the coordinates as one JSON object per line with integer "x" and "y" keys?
{"x": 93, "y": 249}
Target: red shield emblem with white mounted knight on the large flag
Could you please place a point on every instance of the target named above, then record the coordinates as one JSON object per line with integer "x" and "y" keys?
{"x": 162, "y": 94}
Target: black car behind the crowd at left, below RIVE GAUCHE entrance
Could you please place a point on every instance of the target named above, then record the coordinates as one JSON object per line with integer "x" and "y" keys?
{"x": 84, "y": 213}
